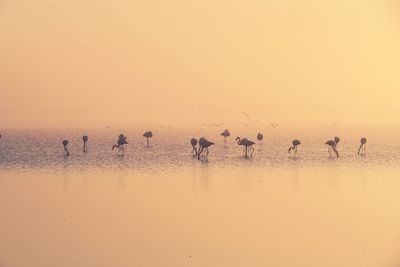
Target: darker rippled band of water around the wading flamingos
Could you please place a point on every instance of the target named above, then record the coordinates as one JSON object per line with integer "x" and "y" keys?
{"x": 42, "y": 149}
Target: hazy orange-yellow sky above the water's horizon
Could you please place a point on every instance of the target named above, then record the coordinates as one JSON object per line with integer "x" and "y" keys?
{"x": 96, "y": 63}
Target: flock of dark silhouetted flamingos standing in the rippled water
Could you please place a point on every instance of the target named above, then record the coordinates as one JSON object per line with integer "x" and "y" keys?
{"x": 201, "y": 146}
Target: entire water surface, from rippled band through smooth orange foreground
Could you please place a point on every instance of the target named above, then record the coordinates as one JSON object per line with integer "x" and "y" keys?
{"x": 159, "y": 206}
